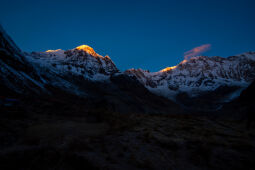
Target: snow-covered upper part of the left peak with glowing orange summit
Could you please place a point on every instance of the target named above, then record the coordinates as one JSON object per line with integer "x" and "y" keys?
{"x": 80, "y": 61}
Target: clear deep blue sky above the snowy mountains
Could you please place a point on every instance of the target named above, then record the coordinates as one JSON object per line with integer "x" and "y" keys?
{"x": 135, "y": 33}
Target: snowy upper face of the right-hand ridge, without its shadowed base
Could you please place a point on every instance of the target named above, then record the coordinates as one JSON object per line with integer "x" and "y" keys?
{"x": 199, "y": 74}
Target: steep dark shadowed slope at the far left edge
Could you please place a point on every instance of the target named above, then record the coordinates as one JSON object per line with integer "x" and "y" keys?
{"x": 17, "y": 76}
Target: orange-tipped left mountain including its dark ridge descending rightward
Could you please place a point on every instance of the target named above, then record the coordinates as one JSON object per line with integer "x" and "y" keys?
{"x": 83, "y": 72}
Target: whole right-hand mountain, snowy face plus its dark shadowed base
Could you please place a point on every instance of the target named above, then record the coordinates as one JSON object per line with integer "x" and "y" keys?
{"x": 202, "y": 80}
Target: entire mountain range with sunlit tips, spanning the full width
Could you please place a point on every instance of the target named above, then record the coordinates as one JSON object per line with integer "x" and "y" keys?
{"x": 200, "y": 81}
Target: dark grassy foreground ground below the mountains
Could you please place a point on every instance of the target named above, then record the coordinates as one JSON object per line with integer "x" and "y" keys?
{"x": 49, "y": 134}
